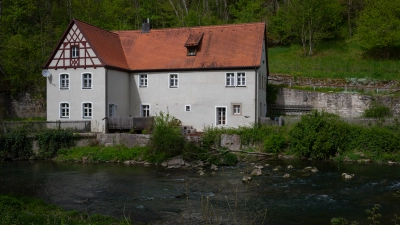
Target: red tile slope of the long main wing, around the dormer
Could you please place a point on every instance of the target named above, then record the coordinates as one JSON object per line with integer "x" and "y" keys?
{"x": 226, "y": 46}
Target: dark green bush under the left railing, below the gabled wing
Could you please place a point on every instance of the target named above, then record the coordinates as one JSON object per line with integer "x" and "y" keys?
{"x": 50, "y": 141}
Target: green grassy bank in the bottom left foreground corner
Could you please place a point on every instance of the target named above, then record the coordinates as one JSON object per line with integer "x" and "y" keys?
{"x": 21, "y": 210}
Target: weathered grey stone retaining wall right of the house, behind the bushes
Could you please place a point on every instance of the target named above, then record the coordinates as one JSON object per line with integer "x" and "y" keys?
{"x": 343, "y": 104}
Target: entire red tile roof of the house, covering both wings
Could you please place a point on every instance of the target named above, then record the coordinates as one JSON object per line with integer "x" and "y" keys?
{"x": 224, "y": 46}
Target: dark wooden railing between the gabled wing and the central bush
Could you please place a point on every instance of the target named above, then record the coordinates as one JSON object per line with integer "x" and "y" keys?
{"x": 129, "y": 123}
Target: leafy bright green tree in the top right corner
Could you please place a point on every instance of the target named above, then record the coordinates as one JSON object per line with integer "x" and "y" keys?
{"x": 379, "y": 27}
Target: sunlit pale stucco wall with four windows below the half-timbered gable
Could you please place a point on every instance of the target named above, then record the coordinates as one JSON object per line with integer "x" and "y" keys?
{"x": 75, "y": 96}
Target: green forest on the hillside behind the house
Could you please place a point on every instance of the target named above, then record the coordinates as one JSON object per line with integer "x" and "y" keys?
{"x": 30, "y": 29}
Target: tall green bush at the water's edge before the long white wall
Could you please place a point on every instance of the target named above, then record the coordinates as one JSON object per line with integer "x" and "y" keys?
{"x": 166, "y": 140}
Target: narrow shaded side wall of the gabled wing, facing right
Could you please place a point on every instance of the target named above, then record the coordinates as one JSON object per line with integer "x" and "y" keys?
{"x": 118, "y": 92}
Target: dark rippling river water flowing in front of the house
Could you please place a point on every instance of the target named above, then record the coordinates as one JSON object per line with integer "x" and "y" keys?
{"x": 154, "y": 195}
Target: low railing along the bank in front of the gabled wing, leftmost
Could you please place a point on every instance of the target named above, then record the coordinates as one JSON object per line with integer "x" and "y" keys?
{"x": 34, "y": 126}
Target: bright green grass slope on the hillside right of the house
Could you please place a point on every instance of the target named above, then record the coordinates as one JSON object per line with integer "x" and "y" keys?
{"x": 333, "y": 59}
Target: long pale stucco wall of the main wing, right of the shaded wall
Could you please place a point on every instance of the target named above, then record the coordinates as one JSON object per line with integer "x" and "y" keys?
{"x": 203, "y": 91}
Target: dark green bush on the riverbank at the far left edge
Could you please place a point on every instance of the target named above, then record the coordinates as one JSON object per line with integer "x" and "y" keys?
{"x": 15, "y": 145}
